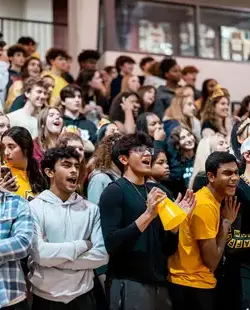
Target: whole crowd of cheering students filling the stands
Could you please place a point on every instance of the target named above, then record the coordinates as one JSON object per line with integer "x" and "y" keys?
{"x": 84, "y": 166}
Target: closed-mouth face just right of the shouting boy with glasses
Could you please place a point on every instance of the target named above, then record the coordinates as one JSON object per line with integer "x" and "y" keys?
{"x": 160, "y": 168}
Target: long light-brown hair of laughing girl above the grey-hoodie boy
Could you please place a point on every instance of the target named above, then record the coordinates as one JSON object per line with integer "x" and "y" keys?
{"x": 43, "y": 140}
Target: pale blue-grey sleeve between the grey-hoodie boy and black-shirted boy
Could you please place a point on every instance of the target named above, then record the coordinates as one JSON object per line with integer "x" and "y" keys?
{"x": 96, "y": 186}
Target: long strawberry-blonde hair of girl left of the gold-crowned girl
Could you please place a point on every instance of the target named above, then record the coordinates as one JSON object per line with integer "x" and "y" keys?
{"x": 175, "y": 111}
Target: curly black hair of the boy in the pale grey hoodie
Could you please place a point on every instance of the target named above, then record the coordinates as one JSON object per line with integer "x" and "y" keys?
{"x": 53, "y": 155}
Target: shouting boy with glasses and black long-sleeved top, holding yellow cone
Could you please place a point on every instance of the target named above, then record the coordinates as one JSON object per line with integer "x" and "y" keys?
{"x": 134, "y": 236}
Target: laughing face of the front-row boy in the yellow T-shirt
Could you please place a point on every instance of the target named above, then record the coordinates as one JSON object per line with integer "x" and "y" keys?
{"x": 226, "y": 179}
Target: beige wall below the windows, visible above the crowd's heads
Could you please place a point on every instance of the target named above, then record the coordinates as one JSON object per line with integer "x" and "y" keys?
{"x": 231, "y": 75}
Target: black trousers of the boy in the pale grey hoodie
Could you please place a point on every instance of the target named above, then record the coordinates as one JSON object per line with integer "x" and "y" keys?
{"x": 83, "y": 302}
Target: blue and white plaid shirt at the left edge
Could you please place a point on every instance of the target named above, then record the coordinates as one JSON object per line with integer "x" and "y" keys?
{"x": 16, "y": 232}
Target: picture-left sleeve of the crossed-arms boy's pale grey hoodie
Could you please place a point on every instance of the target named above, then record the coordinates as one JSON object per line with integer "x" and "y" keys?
{"x": 52, "y": 254}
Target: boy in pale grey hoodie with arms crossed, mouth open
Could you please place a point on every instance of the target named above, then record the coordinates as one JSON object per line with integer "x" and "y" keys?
{"x": 68, "y": 242}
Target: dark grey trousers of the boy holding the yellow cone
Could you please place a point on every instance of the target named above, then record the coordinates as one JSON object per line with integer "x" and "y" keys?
{"x": 130, "y": 295}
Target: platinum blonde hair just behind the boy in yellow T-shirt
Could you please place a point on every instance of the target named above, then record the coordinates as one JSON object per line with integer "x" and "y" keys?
{"x": 205, "y": 147}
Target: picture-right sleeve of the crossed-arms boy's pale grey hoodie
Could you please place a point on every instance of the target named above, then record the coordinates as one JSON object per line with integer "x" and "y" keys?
{"x": 97, "y": 256}
